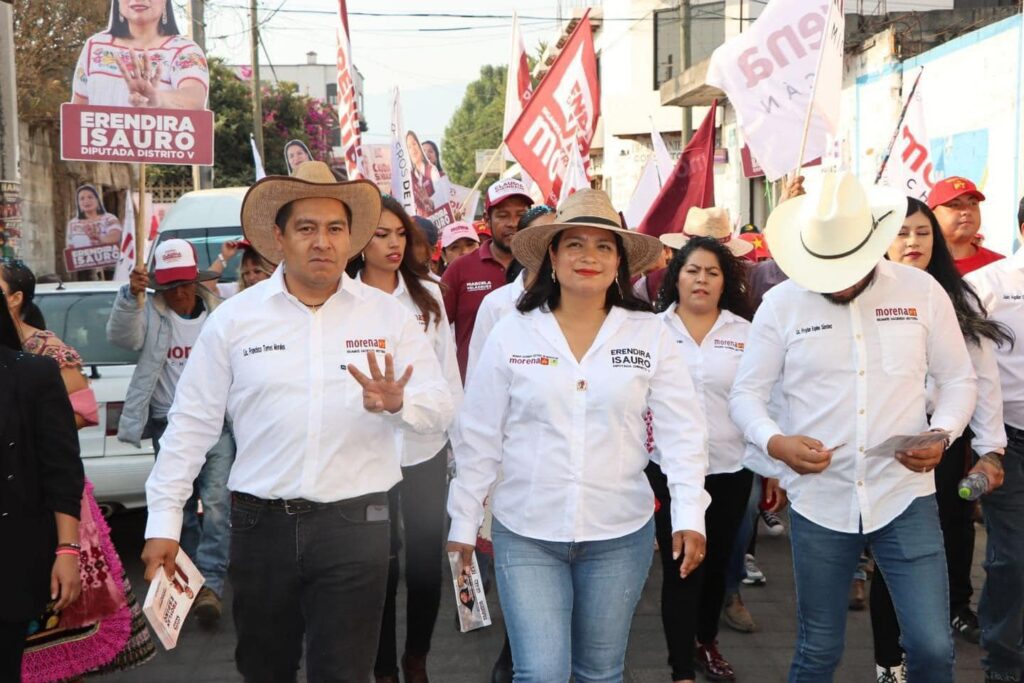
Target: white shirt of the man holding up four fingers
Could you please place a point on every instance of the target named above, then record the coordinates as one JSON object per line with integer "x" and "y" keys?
{"x": 280, "y": 372}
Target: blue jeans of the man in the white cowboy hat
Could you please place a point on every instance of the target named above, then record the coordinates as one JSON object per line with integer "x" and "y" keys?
{"x": 910, "y": 554}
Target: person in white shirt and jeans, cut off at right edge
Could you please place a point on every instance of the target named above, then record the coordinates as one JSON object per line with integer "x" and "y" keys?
{"x": 1001, "y": 611}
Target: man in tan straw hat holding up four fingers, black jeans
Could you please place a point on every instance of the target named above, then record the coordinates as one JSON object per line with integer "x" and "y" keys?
{"x": 296, "y": 364}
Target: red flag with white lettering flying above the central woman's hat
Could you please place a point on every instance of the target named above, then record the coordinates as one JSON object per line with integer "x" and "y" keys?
{"x": 562, "y": 113}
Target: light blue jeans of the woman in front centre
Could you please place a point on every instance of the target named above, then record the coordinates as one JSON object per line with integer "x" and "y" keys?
{"x": 569, "y": 607}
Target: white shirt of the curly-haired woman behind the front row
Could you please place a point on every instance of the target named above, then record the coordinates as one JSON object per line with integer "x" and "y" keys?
{"x": 713, "y": 366}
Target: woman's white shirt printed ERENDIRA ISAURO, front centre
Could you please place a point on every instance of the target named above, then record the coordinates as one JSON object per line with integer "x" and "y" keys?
{"x": 569, "y": 437}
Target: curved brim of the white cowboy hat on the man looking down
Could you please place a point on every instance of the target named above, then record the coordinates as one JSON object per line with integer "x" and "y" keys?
{"x": 835, "y": 275}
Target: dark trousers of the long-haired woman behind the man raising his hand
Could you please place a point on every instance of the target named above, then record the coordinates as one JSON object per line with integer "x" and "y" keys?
{"x": 418, "y": 508}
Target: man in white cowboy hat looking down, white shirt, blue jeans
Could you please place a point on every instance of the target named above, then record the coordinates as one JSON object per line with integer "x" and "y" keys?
{"x": 852, "y": 338}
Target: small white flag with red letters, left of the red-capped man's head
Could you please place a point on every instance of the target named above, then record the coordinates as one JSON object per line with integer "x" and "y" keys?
{"x": 910, "y": 165}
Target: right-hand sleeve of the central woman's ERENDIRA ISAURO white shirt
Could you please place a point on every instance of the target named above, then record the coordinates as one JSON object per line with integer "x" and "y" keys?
{"x": 681, "y": 435}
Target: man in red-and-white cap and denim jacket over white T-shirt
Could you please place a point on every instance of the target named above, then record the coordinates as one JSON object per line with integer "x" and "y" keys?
{"x": 163, "y": 329}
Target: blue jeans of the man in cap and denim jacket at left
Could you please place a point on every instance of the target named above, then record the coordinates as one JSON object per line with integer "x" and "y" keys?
{"x": 208, "y": 542}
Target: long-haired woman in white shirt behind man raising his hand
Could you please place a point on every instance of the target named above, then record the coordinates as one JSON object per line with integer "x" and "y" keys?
{"x": 390, "y": 264}
